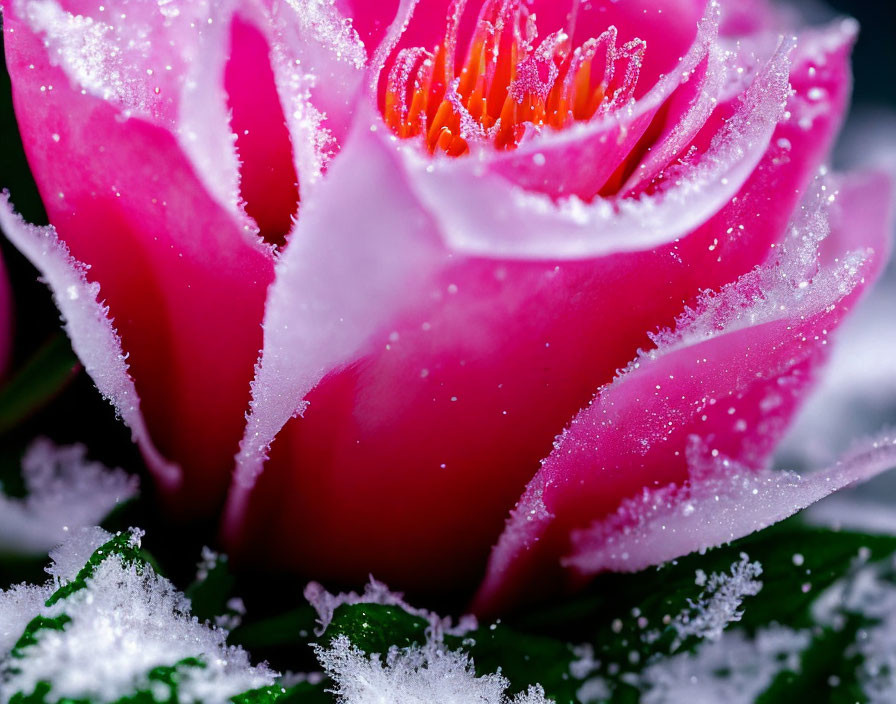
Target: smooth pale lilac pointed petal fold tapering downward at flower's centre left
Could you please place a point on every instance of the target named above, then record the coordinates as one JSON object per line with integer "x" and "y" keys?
{"x": 334, "y": 290}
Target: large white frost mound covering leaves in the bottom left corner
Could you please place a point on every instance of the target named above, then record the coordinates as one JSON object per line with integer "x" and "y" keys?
{"x": 122, "y": 623}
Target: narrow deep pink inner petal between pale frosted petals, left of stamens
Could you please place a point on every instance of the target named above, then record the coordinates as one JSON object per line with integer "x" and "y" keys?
{"x": 268, "y": 182}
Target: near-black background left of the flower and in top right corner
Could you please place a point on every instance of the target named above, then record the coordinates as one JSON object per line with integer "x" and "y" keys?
{"x": 78, "y": 414}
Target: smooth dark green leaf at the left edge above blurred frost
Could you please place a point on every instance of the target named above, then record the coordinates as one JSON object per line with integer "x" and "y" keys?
{"x": 37, "y": 382}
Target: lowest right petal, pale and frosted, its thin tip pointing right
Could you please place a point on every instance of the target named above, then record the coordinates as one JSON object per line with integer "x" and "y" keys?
{"x": 719, "y": 502}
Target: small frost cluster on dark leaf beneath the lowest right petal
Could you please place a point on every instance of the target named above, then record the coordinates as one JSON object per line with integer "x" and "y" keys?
{"x": 719, "y": 604}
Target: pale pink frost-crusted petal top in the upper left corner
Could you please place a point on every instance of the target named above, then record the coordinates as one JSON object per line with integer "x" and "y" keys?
{"x": 155, "y": 65}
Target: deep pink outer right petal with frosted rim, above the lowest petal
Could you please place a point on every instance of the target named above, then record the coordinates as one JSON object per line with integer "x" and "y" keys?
{"x": 732, "y": 374}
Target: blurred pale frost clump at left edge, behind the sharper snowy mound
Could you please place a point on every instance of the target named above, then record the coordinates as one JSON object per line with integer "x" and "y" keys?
{"x": 65, "y": 491}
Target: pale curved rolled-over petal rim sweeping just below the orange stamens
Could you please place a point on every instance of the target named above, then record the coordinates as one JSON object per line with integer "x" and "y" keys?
{"x": 484, "y": 215}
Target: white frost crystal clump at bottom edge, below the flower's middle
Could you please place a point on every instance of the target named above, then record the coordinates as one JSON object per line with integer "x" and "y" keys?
{"x": 416, "y": 675}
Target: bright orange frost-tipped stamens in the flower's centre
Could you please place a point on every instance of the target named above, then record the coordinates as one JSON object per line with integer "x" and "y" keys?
{"x": 508, "y": 87}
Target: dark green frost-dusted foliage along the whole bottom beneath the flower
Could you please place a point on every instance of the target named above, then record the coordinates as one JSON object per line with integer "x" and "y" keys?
{"x": 620, "y": 625}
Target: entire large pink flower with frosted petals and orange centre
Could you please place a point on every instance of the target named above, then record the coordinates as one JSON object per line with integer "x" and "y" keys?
{"x": 636, "y": 186}
